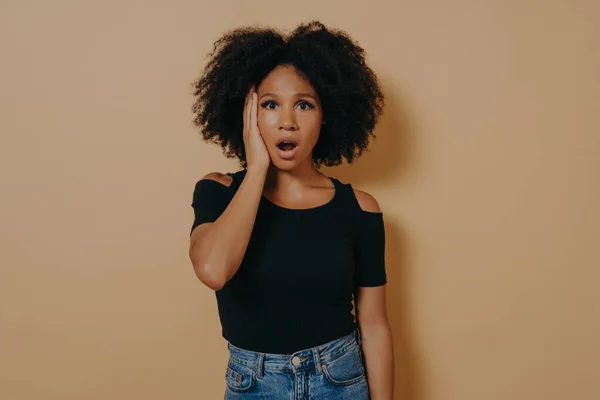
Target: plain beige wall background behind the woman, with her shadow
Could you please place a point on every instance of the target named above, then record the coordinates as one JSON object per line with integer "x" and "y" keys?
{"x": 485, "y": 164}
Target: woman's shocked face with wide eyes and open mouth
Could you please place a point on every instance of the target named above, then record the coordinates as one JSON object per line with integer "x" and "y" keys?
{"x": 288, "y": 107}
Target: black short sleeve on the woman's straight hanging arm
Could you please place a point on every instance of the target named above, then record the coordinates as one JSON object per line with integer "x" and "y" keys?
{"x": 369, "y": 250}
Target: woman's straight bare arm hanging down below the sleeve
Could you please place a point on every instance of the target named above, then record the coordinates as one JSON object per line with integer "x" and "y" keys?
{"x": 377, "y": 343}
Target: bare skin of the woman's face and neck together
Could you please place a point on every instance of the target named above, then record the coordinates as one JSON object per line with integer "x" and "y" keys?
{"x": 289, "y": 105}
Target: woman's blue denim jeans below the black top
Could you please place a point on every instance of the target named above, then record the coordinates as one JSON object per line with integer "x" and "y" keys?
{"x": 332, "y": 371}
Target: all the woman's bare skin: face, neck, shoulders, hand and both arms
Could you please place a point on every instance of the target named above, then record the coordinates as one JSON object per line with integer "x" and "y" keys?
{"x": 285, "y": 104}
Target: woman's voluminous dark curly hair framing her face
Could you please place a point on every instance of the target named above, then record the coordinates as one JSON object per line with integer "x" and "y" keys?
{"x": 329, "y": 59}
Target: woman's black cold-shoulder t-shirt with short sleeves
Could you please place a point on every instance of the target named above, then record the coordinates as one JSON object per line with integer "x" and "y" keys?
{"x": 295, "y": 285}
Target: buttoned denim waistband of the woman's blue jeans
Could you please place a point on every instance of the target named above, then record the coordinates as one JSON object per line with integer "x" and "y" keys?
{"x": 300, "y": 360}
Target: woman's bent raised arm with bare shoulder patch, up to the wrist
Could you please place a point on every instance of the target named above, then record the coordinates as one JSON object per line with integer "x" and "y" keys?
{"x": 217, "y": 248}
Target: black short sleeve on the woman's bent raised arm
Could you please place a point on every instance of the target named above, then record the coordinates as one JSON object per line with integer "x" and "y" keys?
{"x": 209, "y": 201}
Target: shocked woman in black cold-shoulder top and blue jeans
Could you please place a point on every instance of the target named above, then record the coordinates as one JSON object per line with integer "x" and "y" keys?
{"x": 286, "y": 248}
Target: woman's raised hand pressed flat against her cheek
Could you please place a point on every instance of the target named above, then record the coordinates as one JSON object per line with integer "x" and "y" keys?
{"x": 257, "y": 155}
